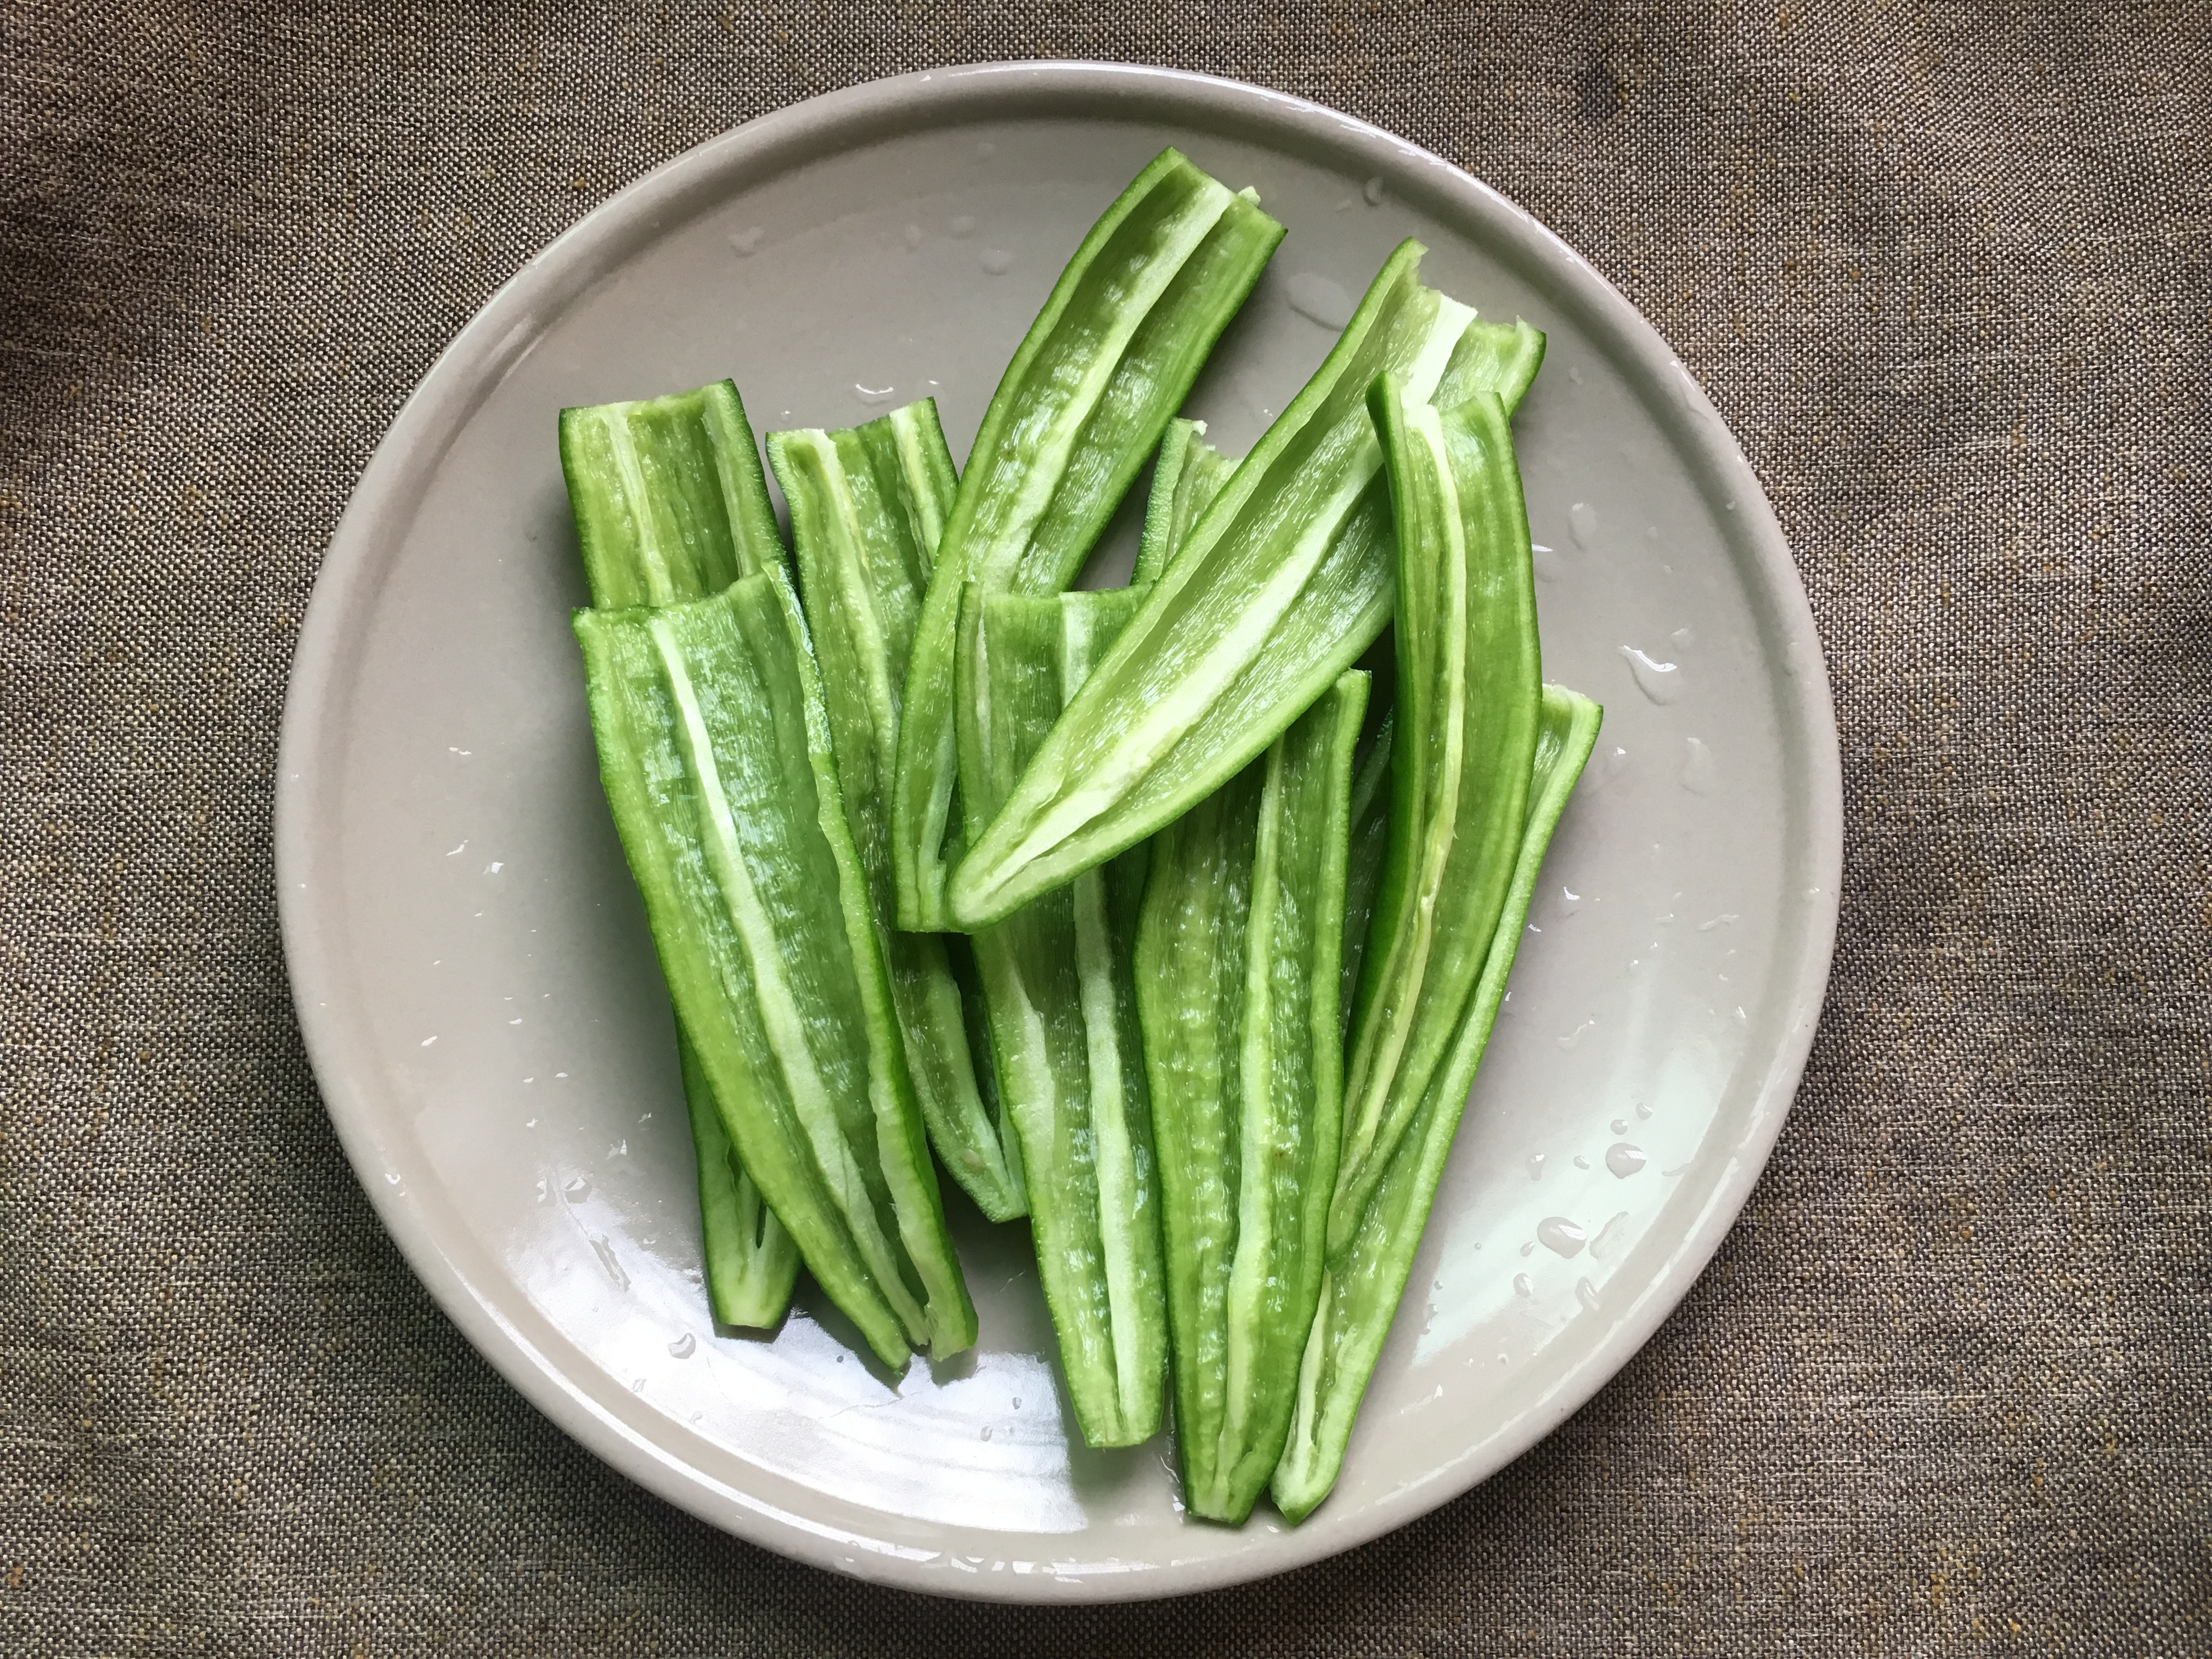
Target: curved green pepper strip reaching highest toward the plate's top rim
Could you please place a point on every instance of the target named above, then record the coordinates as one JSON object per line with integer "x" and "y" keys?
{"x": 1076, "y": 417}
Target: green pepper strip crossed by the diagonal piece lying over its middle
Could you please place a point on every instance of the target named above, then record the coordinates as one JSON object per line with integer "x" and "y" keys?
{"x": 1065, "y": 1043}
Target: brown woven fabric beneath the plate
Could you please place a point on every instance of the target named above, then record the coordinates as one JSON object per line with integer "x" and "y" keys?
{"x": 1948, "y": 271}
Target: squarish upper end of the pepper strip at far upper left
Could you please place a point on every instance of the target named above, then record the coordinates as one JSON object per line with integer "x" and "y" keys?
{"x": 669, "y": 497}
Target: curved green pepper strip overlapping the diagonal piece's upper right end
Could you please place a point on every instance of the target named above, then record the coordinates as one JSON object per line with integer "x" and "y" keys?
{"x": 1470, "y": 689}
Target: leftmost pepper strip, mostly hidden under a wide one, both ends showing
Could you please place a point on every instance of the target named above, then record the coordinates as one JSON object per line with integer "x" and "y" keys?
{"x": 671, "y": 505}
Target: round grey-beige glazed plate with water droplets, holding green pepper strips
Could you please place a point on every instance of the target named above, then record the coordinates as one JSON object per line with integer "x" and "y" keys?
{"x": 474, "y": 974}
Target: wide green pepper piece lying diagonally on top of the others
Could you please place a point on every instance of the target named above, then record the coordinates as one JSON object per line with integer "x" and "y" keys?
{"x": 1284, "y": 581}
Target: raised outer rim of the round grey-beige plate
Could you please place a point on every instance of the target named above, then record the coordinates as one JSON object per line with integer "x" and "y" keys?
{"x": 510, "y": 324}
